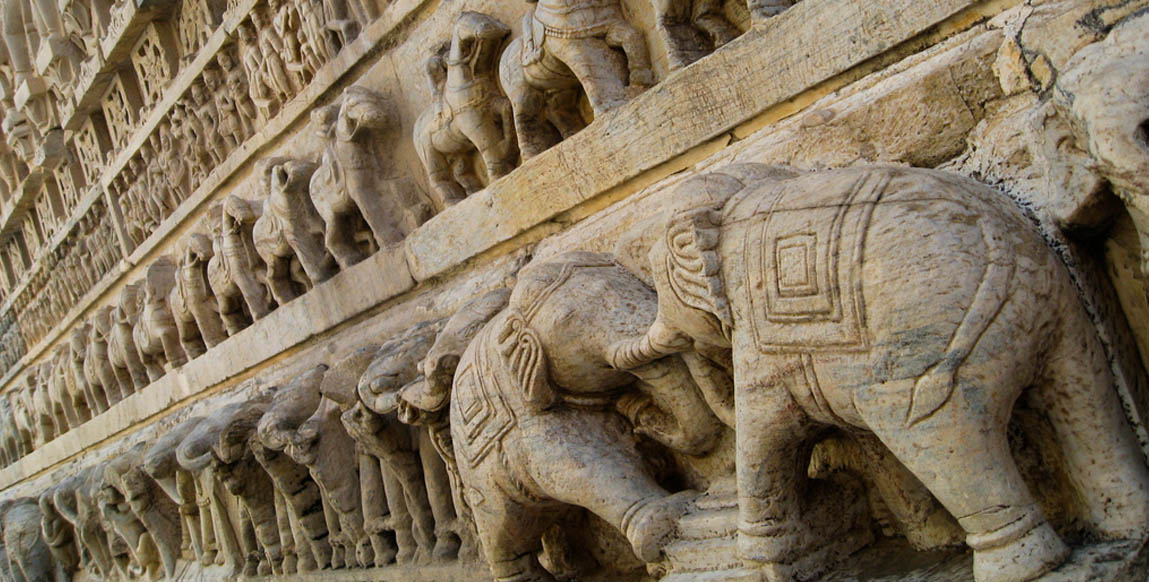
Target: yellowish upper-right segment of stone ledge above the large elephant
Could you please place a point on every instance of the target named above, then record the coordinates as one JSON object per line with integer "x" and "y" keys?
{"x": 689, "y": 108}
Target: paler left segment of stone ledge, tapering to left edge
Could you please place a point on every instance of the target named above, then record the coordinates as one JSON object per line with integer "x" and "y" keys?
{"x": 327, "y": 307}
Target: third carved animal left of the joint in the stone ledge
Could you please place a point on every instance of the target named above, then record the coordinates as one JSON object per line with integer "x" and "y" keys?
{"x": 236, "y": 273}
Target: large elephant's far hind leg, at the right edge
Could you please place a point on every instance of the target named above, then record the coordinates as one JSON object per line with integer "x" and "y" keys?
{"x": 1100, "y": 451}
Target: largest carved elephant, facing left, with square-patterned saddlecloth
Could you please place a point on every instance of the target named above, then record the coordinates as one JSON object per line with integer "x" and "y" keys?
{"x": 913, "y": 305}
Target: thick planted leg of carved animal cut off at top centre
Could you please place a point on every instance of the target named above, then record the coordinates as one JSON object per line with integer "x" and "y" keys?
{"x": 600, "y": 71}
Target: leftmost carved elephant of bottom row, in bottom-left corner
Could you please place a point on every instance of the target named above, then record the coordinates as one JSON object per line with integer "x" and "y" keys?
{"x": 28, "y": 555}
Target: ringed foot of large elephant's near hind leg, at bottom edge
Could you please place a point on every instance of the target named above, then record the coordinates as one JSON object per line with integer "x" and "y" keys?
{"x": 1025, "y": 558}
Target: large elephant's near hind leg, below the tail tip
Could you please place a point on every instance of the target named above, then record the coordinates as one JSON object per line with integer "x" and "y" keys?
{"x": 961, "y": 454}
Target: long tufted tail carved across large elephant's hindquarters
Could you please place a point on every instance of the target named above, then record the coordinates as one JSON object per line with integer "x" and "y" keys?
{"x": 937, "y": 385}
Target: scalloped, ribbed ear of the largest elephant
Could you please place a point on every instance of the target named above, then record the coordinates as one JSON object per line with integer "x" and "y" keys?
{"x": 693, "y": 267}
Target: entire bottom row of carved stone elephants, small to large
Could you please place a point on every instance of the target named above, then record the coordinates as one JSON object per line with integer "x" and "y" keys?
{"x": 579, "y": 416}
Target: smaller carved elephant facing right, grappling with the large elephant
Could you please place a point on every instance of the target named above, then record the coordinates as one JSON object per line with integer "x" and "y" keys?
{"x": 534, "y": 398}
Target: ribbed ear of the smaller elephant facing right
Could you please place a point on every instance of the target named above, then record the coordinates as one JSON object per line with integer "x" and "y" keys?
{"x": 523, "y": 356}
